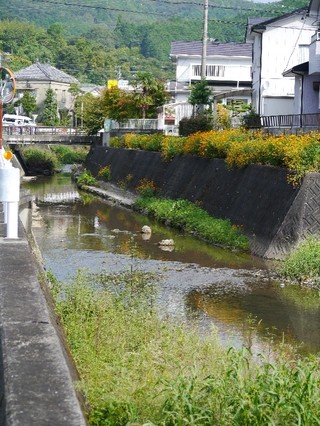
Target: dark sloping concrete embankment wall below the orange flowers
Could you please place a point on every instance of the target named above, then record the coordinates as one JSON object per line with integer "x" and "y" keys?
{"x": 274, "y": 214}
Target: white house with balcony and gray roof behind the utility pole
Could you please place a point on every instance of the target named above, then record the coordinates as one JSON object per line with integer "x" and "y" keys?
{"x": 228, "y": 69}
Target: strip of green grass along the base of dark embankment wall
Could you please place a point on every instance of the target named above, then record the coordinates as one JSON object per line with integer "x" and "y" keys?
{"x": 183, "y": 214}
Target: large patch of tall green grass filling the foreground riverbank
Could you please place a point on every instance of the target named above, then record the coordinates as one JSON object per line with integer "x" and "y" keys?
{"x": 137, "y": 368}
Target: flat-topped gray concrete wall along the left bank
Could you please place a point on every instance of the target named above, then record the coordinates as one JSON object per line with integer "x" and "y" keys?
{"x": 37, "y": 376}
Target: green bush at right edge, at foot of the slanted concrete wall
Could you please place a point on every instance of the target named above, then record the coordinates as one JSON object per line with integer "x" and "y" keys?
{"x": 303, "y": 263}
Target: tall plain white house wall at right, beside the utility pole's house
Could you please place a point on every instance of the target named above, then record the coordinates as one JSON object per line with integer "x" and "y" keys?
{"x": 278, "y": 44}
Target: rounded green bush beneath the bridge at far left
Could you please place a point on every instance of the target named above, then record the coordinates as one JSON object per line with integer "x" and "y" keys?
{"x": 40, "y": 159}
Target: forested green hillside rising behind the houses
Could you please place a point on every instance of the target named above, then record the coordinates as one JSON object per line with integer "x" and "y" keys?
{"x": 99, "y": 40}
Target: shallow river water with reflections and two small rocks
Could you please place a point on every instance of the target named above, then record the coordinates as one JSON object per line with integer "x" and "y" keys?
{"x": 215, "y": 288}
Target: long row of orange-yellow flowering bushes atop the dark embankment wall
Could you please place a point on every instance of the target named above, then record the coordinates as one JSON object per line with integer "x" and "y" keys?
{"x": 299, "y": 154}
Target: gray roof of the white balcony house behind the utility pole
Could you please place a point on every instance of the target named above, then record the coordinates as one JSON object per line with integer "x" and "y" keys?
{"x": 213, "y": 49}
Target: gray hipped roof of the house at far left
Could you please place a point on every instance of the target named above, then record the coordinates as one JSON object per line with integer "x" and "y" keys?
{"x": 44, "y": 72}
